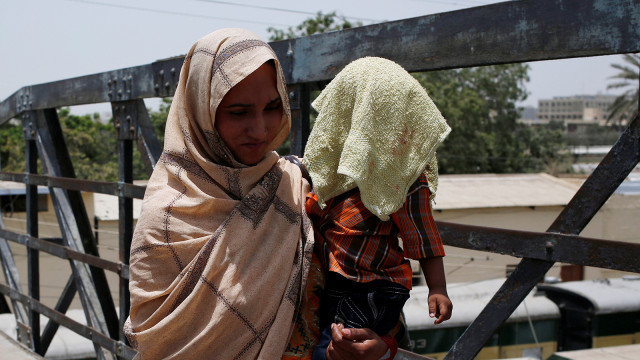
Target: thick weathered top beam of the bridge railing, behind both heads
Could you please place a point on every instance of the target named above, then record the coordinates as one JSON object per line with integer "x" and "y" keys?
{"x": 527, "y": 31}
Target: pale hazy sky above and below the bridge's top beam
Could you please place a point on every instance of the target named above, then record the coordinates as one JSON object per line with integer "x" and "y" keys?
{"x": 48, "y": 40}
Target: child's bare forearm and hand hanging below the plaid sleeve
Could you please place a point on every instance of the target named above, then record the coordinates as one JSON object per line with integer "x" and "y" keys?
{"x": 440, "y": 305}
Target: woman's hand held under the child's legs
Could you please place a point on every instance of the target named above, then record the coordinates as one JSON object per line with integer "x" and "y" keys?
{"x": 355, "y": 344}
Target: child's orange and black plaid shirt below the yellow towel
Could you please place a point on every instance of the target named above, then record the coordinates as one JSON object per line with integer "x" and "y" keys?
{"x": 358, "y": 245}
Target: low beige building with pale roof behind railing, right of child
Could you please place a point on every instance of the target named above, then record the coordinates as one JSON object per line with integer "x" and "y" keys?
{"x": 528, "y": 202}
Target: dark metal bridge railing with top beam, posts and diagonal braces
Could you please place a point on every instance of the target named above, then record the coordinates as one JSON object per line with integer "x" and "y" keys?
{"x": 509, "y": 32}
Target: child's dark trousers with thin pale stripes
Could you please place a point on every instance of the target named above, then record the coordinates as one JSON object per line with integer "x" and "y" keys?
{"x": 376, "y": 305}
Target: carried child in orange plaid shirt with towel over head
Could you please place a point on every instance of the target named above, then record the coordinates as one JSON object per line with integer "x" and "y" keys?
{"x": 371, "y": 156}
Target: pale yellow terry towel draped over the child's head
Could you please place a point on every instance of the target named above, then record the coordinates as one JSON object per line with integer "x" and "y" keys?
{"x": 378, "y": 130}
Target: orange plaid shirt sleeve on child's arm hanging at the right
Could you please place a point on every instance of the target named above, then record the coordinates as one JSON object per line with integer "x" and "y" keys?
{"x": 417, "y": 228}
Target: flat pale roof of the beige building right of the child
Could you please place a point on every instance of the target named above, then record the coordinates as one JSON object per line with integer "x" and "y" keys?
{"x": 502, "y": 190}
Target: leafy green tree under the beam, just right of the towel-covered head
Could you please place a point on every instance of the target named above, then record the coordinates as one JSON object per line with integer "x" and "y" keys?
{"x": 480, "y": 106}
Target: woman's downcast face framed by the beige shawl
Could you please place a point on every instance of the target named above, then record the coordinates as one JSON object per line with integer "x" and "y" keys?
{"x": 249, "y": 116}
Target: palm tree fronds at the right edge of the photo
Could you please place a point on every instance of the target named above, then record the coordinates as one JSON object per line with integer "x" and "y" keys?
{"x": 625, "y": 106}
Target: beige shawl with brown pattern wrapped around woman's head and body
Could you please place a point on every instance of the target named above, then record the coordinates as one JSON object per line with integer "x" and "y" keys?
{"x": 221, "y": 250}
